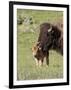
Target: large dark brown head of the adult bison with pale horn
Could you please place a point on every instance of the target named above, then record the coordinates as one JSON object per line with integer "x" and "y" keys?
{"x": 49, "y": 36}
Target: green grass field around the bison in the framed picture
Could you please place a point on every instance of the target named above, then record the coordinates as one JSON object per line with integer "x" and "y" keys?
{"x": 26, "y": 68}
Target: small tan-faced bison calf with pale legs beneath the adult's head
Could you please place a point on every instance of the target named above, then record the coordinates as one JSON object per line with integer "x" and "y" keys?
{"x": 39, "y": 55}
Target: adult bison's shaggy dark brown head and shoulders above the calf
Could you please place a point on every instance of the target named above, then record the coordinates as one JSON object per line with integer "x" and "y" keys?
{"x": 52, "y": 39}
